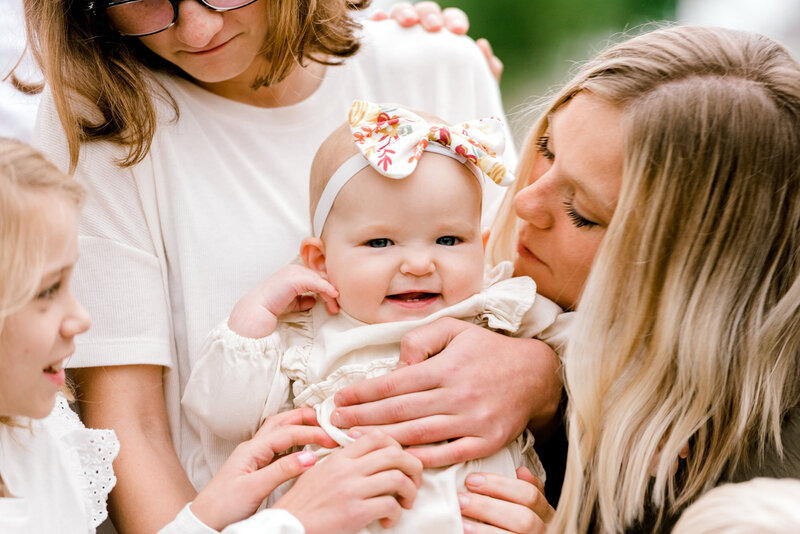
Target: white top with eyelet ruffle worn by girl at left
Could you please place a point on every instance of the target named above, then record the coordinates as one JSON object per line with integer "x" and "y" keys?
{"x": 58, "y": 472}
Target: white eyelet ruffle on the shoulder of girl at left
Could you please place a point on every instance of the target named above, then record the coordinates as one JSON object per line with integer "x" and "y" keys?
{"x": 91, "y": 451}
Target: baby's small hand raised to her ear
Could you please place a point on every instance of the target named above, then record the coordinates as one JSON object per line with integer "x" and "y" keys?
{"x": 256, "y": 314}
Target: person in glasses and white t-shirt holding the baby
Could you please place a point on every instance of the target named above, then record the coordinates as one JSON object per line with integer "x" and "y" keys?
{"x": 193, "y": 124}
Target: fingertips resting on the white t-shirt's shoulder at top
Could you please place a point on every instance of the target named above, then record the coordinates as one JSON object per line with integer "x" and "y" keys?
{"x": 431, "y": 16}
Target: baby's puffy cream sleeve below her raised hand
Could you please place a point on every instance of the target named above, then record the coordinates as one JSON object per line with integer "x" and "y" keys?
{"x": 233, "y": 380}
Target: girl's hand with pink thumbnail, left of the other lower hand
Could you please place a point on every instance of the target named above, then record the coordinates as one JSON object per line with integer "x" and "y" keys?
{"x": 250, "y": 475}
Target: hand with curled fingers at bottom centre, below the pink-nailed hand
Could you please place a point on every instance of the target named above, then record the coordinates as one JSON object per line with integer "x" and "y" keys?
{"x": 372, "y": 478}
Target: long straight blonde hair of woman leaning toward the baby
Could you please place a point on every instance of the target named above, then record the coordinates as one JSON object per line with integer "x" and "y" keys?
{"x": 688, "y": 329}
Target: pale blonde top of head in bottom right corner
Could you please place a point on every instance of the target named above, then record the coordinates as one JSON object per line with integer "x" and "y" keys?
{"x": 758, "y": 506}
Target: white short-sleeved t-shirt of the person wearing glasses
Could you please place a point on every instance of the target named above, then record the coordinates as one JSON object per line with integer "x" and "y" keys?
{"x": 221, "y": 202}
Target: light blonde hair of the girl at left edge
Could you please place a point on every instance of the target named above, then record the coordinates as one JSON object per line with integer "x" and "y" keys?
{"x": 26, "y": 180}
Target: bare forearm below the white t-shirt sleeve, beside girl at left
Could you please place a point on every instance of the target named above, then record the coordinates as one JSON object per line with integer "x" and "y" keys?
{"x": 152, "y": 486}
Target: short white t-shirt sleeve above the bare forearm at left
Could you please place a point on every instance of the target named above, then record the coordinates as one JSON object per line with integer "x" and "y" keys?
{"x": 121, "y": 276}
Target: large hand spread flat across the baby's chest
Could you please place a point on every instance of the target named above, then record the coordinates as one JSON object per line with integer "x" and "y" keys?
{"x": 480, "y": 391}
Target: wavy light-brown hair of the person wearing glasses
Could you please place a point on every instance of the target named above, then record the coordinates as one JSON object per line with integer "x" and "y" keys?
{"x": 85, "y": 61}
